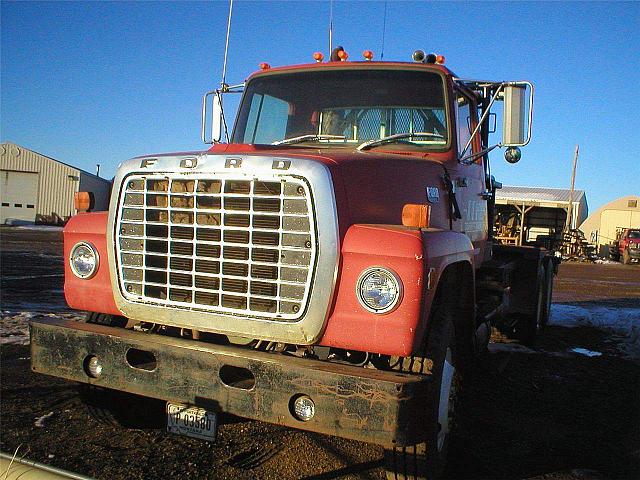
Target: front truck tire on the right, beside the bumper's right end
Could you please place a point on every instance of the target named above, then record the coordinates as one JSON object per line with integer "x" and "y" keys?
{"x": 427, "y": 460}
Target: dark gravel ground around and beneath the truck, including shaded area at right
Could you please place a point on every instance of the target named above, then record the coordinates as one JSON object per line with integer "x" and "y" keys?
{"x": 551, "y": 412}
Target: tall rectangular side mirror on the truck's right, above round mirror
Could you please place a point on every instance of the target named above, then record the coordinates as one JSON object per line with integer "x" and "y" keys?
{"x": 516, "y": 125}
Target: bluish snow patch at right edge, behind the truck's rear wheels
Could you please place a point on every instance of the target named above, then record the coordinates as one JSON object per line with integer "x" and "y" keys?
{"x": 621, "y": 322}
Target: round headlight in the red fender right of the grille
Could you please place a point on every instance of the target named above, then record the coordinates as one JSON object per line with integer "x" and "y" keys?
{"x": 379, "y": 290}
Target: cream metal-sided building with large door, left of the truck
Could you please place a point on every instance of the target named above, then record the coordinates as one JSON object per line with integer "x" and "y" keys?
{"x": 37, "y": 188}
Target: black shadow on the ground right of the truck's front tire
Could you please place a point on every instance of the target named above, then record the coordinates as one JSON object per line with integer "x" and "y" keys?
{"x": 533, "y": 412}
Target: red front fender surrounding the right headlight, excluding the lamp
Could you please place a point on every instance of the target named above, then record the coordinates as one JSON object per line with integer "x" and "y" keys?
{"x": 410, "y": 254}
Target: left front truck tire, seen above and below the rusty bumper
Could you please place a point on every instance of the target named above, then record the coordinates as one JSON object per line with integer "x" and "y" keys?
{"x": 120, "y": 409}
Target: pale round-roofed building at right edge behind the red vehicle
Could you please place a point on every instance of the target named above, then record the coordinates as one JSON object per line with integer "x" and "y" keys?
{"x": 601, "y": 226}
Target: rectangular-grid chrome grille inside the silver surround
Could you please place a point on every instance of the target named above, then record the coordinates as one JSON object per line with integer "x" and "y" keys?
{"x": 235, "y": 245}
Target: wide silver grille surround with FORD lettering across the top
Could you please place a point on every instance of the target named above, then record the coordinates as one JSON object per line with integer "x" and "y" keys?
{"x": 309, "y": 324}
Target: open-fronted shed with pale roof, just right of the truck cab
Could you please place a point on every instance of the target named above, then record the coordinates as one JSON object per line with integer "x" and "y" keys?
{"x": 542, "y": 211}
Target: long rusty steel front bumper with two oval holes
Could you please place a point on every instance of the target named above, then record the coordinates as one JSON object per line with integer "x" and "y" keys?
{"x": 375, "y": 406}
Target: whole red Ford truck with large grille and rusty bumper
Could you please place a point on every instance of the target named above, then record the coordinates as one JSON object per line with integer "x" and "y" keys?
{"x": 329, "y": 267}
